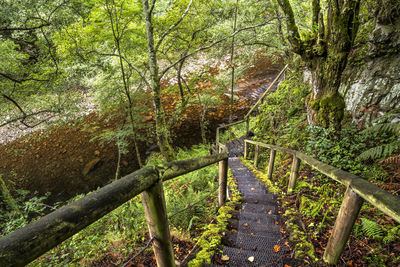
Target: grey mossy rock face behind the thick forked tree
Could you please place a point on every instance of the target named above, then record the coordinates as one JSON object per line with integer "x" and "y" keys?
{"x": 371, "y": 82}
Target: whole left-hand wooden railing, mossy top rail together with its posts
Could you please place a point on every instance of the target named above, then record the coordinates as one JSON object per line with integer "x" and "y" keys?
{"x": 26, "y": 244}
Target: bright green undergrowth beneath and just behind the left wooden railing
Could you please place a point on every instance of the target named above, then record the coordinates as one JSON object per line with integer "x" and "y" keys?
{"x": 122, "y": 232}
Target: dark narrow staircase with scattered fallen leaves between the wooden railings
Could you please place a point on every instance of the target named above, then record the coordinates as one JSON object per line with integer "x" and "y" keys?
{"x": 258, "y": 240}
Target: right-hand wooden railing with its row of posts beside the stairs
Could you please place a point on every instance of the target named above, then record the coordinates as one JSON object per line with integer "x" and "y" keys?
{"x": 357, "y": 190}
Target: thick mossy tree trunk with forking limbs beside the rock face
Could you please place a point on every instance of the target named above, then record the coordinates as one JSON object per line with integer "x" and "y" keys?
{"x": 325, "y": 52}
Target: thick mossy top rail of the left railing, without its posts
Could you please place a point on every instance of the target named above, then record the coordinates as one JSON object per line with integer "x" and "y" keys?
{"x": 26, "y": 244}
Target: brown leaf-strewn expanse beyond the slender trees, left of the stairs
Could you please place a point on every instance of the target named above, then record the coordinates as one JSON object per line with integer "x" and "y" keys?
{"x": 54, "y": 160}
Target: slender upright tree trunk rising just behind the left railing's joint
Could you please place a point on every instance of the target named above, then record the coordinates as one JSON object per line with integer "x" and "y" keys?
{"x": 162, "y": 131}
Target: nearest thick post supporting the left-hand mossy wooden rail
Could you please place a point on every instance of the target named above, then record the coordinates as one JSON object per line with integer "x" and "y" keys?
{"x": 157, "y": 220}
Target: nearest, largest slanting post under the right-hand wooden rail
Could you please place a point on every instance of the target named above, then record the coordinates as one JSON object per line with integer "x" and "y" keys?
{"x": 345, "y": 220}
